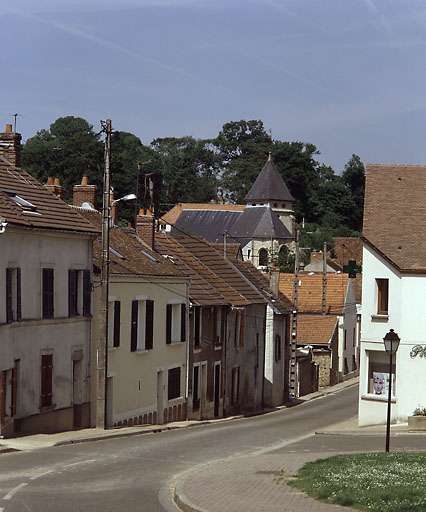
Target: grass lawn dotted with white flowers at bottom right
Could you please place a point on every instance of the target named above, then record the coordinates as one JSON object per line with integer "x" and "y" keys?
{"x": 393, "y": 482}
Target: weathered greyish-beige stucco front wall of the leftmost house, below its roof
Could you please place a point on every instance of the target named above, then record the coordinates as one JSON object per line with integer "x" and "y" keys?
{"x": 25, "y": 341}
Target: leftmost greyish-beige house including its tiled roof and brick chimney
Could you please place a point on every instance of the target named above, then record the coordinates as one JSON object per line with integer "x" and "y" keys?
{"x": 46, "y": 257}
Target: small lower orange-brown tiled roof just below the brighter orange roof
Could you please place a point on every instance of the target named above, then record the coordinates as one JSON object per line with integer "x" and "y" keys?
{"x": 315, "y": 329}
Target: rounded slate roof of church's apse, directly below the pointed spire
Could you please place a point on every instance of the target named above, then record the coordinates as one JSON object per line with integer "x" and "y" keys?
{"x": 259, "y": 222}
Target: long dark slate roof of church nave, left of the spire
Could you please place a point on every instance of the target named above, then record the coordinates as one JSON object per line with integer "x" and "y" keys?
{"x": 210, "y": 224}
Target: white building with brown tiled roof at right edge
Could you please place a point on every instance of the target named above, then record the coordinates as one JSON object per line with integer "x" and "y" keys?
{"x": 393, "y": 291}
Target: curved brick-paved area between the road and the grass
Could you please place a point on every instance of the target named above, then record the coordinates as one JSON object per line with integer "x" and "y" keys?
{"x": 250, "y": 484}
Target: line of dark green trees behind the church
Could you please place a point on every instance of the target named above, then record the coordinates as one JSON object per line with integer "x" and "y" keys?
{"x": 186, "y": 169}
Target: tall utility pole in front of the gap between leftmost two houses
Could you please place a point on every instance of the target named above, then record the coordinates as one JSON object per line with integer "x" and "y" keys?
{"x": 102, "y": 348}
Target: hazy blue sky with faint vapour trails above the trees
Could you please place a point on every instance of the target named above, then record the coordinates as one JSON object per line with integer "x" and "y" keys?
{"x": 346, "y": 75}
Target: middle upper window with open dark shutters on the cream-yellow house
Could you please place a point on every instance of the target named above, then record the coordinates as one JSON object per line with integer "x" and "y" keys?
{"x": 142, "y": 329}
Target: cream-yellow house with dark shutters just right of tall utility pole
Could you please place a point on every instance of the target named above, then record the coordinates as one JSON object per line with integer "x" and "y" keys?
{"x": 147, "y": 331}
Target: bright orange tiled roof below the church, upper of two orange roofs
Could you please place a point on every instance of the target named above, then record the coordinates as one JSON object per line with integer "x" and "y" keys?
{"x": 309, "y": 298}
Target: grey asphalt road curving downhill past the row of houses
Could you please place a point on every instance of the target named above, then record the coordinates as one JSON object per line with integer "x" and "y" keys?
{"x": 127, "y": 474}
